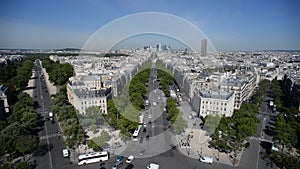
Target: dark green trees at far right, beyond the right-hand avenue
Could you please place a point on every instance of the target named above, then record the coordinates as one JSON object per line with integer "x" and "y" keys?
{"x": 287, "y": 127}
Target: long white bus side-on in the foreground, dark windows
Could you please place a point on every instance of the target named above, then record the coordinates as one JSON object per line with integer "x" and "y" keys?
{"x": 92, "y": 157}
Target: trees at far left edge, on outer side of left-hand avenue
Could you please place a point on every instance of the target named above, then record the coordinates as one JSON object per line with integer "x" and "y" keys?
{"x": 18, "y": 136}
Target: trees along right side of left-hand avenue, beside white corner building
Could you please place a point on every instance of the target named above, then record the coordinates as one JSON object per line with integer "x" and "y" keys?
{"x": 67, "y": 115}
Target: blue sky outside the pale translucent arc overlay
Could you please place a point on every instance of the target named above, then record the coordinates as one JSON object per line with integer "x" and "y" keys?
{"x": 230, "y": 25}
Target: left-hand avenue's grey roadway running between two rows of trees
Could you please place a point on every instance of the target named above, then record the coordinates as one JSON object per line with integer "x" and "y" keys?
{"x": 49, "y": 153}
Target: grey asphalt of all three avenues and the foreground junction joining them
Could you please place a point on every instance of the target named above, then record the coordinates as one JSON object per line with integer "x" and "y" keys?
{"x": 157, "y": 148}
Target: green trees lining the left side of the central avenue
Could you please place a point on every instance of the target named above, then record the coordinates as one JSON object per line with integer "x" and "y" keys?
{"x": 122, "y": 113}
